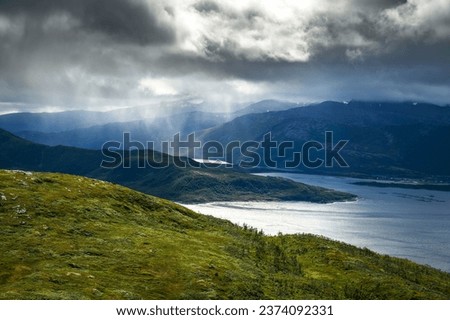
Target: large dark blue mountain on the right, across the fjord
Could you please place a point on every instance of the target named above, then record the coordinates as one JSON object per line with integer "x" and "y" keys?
{"x": 398, "y": 139}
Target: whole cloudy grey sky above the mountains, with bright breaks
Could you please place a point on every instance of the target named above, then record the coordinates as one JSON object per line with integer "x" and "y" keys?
{"x": 113, "y": 53}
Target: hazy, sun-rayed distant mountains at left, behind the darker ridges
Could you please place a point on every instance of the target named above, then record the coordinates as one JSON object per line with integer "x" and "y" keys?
{"x": 87, "y": 129}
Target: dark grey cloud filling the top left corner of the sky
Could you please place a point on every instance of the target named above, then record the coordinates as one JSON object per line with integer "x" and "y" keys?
{"x": 125, "y": 21}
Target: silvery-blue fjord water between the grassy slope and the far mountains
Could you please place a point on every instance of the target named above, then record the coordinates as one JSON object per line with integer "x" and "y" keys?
{"x": 406, "y": 223}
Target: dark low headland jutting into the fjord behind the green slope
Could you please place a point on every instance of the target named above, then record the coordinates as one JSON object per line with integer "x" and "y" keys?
{"x": 188, "y": 185}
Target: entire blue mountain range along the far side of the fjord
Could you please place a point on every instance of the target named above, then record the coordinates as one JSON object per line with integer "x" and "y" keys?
{"x": 384, "y": 138}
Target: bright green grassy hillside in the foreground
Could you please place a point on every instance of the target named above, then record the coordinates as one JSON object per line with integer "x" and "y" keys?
{"x": 70, "y": 237}
